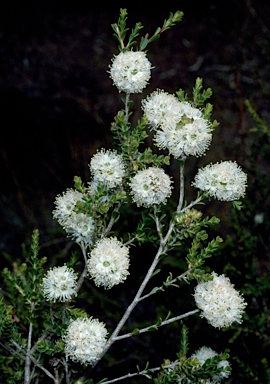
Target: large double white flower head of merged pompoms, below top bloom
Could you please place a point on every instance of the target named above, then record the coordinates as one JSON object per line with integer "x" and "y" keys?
{"x": 179, "y": 126}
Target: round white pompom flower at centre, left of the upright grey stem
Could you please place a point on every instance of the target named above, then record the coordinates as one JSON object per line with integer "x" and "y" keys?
{"x": 150, "y": 186}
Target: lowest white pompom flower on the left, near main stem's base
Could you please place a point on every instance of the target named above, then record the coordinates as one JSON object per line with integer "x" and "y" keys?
{"x": 85, "y": 340}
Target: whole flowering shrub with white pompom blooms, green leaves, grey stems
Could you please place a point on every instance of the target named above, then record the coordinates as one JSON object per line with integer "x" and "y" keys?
{"x": 46, "y": 331}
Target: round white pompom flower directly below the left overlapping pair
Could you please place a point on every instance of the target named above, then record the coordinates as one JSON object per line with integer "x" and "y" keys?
{"x": 108, "y": 263}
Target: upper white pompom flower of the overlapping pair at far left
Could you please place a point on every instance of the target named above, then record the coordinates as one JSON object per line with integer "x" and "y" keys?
{"x": 65, "y": 204}
